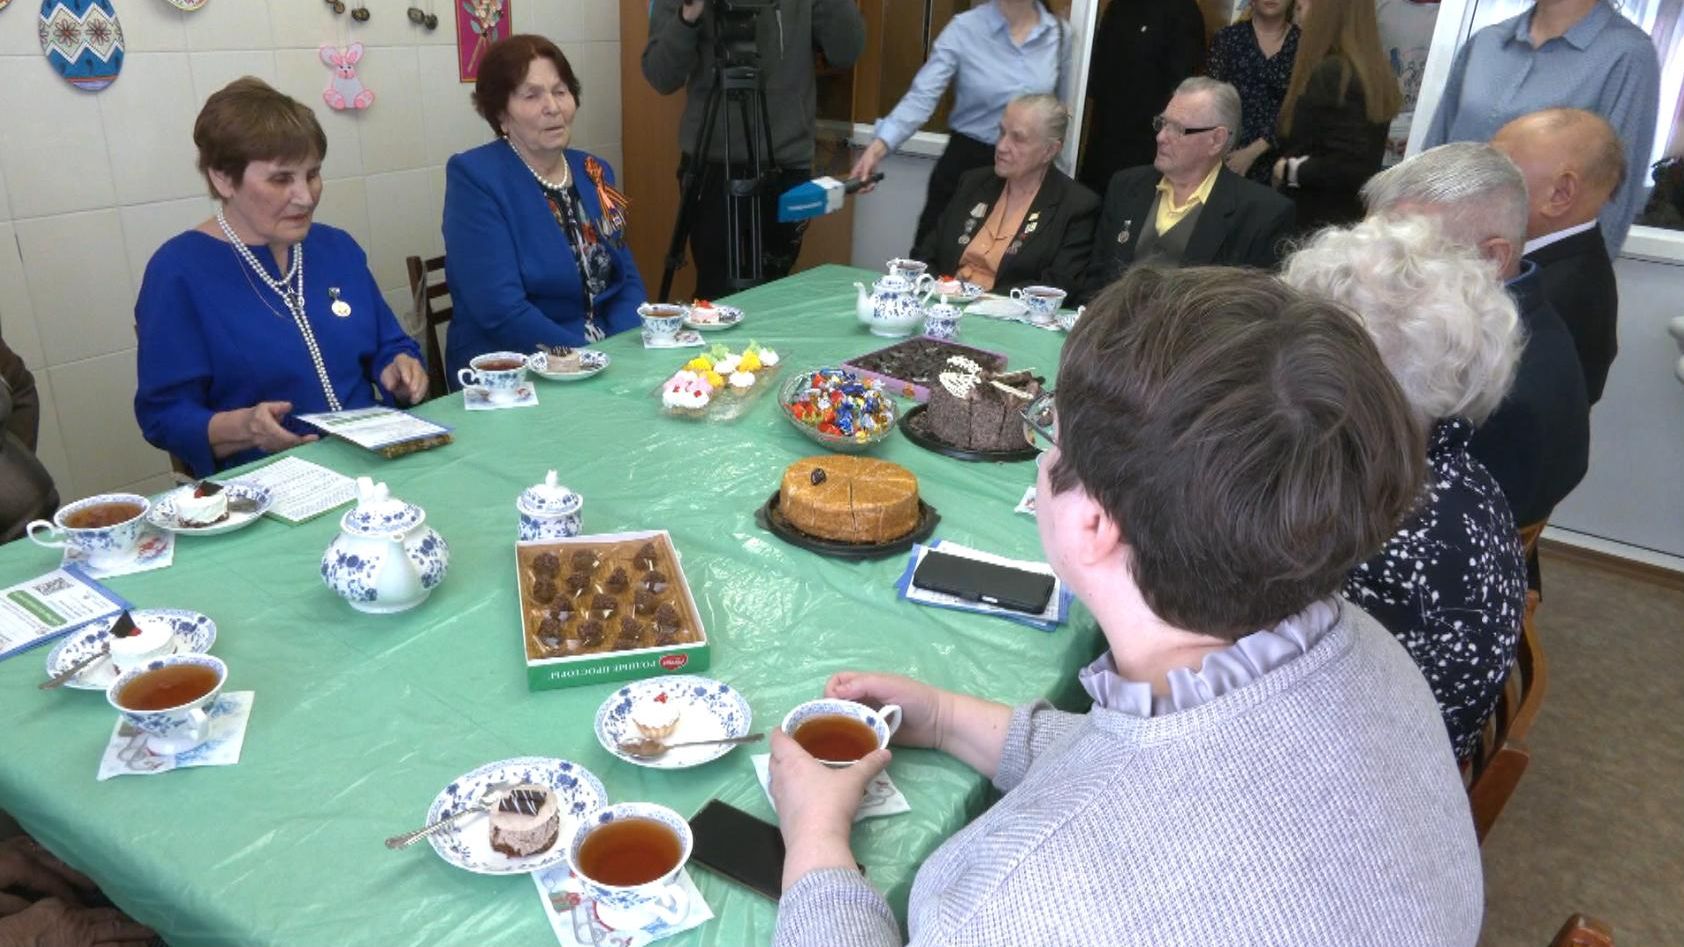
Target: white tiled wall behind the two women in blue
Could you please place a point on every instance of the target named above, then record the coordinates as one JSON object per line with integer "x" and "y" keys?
{"x": 93, "y": 183}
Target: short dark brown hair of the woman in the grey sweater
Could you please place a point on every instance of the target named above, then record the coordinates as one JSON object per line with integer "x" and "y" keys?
{"x": 1245, "y": 439}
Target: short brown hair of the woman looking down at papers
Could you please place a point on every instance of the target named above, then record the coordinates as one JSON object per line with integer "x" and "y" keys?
{"x": 247, "y": 122}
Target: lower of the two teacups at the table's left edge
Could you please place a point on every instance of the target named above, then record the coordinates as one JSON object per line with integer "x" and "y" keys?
{"x": 169, "y": 700}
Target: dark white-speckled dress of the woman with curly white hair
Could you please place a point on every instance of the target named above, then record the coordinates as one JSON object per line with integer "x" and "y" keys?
{"x": 1451, "y": 586}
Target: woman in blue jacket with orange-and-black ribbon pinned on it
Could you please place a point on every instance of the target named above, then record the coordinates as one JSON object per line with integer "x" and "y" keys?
{"x": 535, "y": 233}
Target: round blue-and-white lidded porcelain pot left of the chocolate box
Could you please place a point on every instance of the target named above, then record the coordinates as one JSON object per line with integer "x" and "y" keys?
{"x": 385, "y": 559}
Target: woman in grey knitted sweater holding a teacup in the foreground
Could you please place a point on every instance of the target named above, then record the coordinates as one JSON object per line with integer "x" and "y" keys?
{"x": 1264, "y": 764}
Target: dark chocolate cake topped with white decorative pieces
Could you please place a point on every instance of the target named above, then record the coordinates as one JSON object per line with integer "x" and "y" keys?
{"x": 974, "y": 409}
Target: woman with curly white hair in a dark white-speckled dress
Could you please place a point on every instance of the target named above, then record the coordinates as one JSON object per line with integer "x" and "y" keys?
{"x": 1451, "y": 584}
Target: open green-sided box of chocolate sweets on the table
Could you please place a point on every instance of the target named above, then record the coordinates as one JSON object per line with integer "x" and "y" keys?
{"x": 610, "y": 607}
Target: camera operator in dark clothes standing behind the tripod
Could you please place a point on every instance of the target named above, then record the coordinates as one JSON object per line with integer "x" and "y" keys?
{"x": 681, "y": 53}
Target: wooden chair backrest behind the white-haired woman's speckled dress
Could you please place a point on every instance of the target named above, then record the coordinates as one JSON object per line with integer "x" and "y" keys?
{"x": 1501, "y": 756}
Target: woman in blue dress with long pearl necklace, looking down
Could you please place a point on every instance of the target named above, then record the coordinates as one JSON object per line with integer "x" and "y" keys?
{"x": 260, "y": 314}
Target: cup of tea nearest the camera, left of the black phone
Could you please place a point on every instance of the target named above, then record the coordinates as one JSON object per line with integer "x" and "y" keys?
{"x": 629, "y": 859}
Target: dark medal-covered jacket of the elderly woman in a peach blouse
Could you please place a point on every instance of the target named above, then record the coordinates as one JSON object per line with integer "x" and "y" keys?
{"x": 1053, "y": 242}
